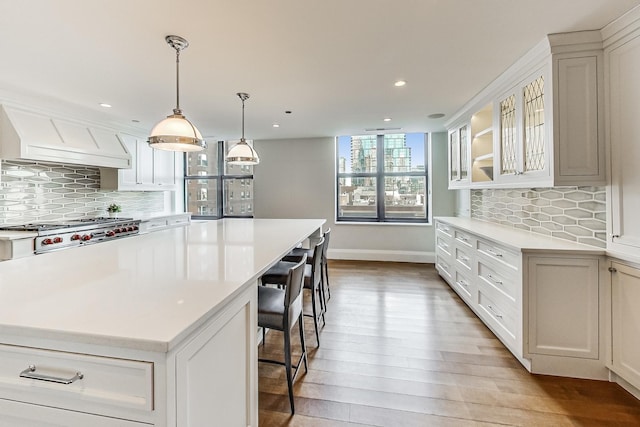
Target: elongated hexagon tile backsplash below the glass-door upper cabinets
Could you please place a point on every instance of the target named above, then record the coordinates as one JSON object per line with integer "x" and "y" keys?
{"x": 572, "y": 213}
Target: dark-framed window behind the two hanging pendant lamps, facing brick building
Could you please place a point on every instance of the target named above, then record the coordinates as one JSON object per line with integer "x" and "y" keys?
{"x": 215, "y": 189}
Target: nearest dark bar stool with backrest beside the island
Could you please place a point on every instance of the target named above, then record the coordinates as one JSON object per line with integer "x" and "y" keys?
{"x": 279, "y": 309}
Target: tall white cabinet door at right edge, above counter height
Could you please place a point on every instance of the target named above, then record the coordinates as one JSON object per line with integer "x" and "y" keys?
{"x": 623, "y": 61}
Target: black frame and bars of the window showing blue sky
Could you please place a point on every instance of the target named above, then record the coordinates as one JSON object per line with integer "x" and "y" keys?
{"x": 379, "y": 176}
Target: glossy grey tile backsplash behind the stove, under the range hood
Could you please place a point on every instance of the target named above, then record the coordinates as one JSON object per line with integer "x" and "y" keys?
{"x": 38, "y": 191}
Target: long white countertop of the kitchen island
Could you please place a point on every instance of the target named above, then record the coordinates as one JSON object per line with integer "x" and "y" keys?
{"x": 144, "y": 292}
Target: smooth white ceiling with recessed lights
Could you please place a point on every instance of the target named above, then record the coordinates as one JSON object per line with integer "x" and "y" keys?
{"x": 331, "y": 62}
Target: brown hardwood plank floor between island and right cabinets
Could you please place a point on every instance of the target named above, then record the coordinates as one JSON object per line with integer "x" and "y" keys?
{"x": 399, "y": 348}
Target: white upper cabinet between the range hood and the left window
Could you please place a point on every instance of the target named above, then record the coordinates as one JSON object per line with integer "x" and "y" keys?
{"x": 152, "y": 170}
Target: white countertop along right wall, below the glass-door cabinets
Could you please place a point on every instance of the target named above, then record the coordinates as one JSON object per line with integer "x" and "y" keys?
{"x": 519, "y": 240}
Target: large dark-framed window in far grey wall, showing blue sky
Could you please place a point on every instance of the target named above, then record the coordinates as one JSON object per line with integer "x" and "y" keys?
{"x": 382, "y": 178}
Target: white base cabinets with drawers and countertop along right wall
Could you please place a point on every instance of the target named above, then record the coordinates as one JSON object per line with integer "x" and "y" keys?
{"x": 544, "y": 305}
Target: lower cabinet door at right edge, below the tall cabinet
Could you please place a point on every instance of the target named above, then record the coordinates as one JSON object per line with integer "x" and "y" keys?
{"x": 625, "y": 322}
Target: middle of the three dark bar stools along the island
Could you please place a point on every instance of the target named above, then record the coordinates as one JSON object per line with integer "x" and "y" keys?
{"x": 277, "y": 275}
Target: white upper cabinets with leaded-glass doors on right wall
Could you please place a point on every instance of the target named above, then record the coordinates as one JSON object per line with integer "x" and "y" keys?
{"x": 541, "y": 122}
